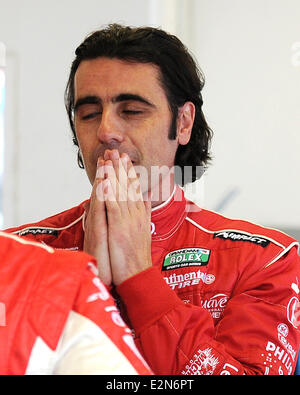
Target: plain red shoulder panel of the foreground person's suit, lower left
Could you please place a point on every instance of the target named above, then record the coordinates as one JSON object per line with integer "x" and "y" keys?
{"x": 34, "y": 295}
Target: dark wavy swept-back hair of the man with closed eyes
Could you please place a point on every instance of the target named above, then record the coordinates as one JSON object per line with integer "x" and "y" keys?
{"x": 180, "y": 77}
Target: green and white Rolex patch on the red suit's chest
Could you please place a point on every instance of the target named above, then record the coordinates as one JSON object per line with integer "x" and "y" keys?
{"x": 186, "y": 257}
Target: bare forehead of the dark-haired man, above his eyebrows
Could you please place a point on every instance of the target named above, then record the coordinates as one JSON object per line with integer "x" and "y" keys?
{"x": 107, "y": 77}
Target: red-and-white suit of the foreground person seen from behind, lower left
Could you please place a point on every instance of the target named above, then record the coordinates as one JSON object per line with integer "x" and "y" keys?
{"x": 56, "y": 317}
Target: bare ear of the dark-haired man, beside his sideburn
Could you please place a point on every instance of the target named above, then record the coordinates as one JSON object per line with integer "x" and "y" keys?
{"x": 185, "y": 122}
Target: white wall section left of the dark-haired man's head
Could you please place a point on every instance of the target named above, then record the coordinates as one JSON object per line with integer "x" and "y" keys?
{"x": 42, "y": 176}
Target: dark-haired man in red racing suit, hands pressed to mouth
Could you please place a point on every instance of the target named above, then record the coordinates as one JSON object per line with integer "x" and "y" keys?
{"x": 203, "y": 293}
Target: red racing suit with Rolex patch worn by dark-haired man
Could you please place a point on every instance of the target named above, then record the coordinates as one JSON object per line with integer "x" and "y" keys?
{"x": 222, "y": 296}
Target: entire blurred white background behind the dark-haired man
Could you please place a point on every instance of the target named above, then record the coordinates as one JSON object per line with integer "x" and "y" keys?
{"x": 249, "y": 51}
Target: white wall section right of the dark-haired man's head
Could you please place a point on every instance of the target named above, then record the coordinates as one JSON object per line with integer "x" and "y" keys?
{"x": 250, "y": 54}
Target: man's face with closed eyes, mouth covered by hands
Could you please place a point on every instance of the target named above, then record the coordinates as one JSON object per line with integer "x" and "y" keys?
{"x": 122, "y": 105}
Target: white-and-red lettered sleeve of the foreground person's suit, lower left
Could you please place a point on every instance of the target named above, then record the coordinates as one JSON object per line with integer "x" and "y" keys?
{"x": 94, "y": 340}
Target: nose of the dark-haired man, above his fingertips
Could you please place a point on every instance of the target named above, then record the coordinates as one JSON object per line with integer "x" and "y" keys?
{"x": 110, "y": 129}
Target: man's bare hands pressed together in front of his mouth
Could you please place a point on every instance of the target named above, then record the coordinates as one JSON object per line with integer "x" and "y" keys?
{"x": 117, "y": 221}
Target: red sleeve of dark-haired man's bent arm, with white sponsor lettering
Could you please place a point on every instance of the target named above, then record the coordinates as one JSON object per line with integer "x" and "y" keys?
{"x": 258, "y": 333}
